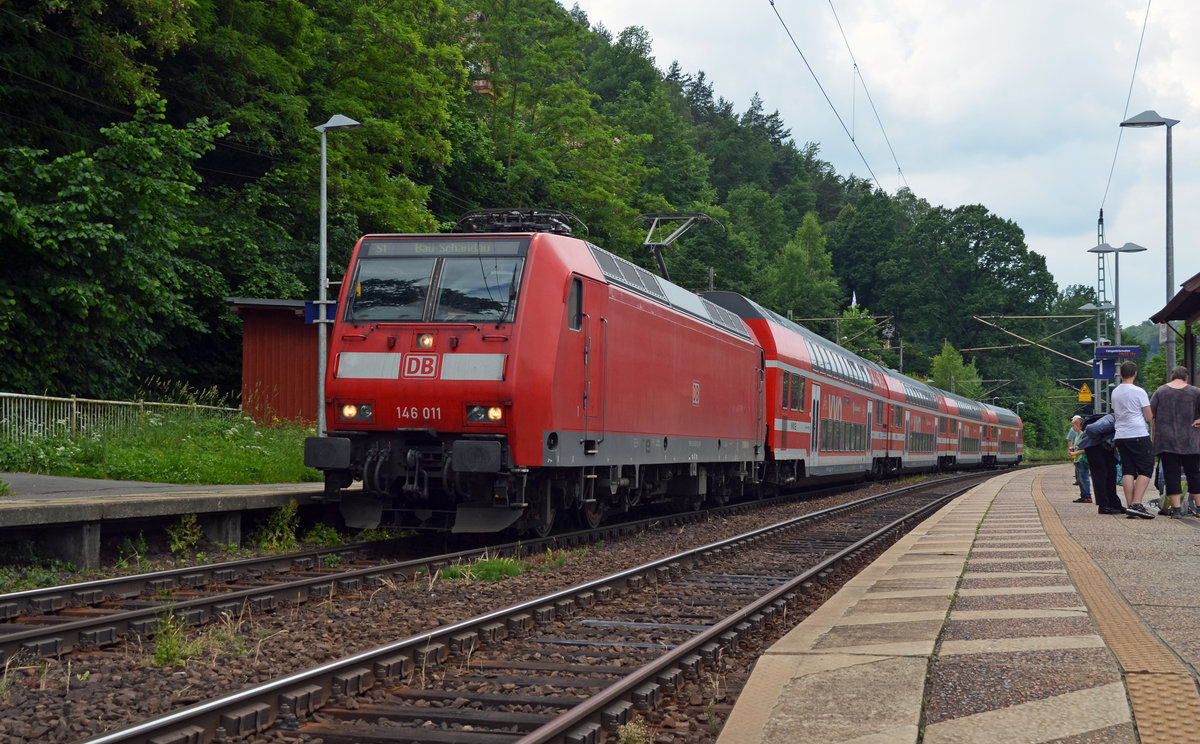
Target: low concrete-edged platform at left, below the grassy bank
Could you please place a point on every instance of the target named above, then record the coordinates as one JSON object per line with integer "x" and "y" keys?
{"x": 70, "y": 517}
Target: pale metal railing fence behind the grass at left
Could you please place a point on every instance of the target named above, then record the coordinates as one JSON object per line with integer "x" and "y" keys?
{"x": 25, "y": 417}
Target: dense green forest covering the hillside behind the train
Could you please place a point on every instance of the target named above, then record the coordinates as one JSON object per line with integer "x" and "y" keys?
{"x": 160, "y": 157}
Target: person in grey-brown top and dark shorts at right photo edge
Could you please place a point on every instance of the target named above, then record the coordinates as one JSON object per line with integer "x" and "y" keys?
{"x": 1177, "y": 410}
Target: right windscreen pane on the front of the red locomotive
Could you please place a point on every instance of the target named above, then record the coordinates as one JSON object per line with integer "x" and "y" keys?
{"x": 478, "y": 290}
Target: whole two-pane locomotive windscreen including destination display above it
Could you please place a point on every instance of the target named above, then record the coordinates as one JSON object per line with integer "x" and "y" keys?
{"x": 439, "y": 280}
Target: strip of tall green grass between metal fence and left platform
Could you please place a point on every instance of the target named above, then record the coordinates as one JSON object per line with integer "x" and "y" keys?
{"x": 184, "y": 447}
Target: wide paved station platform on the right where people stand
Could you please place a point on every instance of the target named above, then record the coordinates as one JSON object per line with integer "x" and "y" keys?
{"x": 1011, "y": 616}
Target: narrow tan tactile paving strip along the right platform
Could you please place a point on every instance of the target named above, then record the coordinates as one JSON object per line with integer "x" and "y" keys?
{"x": 1162, "y": 691}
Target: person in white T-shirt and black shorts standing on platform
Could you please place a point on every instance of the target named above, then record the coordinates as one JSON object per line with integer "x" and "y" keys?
{"x": 1131, "y": 411}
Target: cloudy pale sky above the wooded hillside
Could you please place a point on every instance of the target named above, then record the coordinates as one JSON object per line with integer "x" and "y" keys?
{"x": 1015, "y": 105}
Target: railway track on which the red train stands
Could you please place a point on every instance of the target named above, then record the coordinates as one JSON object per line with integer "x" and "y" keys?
{"x": 56, "y": 621}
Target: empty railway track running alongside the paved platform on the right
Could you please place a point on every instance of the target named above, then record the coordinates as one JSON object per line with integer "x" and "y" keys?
{"x": 577, "y": 664}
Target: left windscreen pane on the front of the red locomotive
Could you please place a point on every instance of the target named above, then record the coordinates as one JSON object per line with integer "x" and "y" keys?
{"x": 389, "y": 290}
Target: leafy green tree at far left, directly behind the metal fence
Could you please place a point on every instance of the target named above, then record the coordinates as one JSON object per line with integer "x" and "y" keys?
{"x": 98, "y": 269}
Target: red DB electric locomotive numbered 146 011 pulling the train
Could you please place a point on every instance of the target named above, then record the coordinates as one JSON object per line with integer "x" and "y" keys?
{"x": 509, "y": 373}
